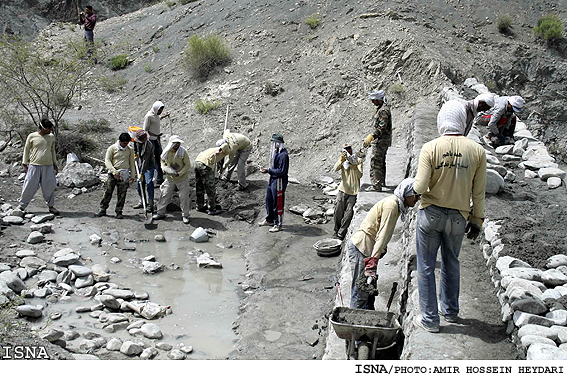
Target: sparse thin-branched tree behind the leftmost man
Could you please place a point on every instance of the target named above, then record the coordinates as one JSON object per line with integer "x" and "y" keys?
{"x": 35, "y": 83}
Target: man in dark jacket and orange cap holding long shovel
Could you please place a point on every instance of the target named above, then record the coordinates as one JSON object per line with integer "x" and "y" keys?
{"x": 145, "y": 158}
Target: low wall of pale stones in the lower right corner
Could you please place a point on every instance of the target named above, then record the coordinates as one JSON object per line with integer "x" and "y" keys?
{"x": 534, "y": 301}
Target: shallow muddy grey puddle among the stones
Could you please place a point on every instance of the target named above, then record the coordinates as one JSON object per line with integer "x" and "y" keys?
{"x": 204, "y": 302}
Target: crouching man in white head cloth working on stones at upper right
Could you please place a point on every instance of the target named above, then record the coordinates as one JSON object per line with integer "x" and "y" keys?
{"x": 501, "y": 120}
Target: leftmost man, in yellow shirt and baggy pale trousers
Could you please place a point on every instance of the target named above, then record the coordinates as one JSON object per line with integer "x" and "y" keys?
{"x": 40, "y": 165}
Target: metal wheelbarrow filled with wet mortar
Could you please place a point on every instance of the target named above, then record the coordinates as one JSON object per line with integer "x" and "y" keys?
{"x": 368, "y": 334}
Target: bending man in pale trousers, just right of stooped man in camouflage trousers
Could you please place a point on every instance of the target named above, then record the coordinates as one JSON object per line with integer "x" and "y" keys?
{"x": 240, "y": 148}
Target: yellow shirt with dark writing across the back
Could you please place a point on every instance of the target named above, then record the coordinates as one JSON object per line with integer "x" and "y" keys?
{"x": 451, "y": 168}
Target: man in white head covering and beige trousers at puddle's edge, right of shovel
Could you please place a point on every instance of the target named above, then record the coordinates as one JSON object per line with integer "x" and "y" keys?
{"x": 175, "y": 165}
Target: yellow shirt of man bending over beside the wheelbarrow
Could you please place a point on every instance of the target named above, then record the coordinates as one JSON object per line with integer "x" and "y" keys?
{"x": 377, "y": 228}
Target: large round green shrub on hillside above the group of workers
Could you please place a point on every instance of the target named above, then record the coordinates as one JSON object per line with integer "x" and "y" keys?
{"x": 203, "y": 54}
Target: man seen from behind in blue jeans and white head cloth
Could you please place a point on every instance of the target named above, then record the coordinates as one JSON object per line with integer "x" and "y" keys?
{"x": 451, "y": 169}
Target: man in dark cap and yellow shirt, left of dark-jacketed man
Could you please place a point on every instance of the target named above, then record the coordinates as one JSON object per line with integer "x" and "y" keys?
{"x": 119, "y": 160}
